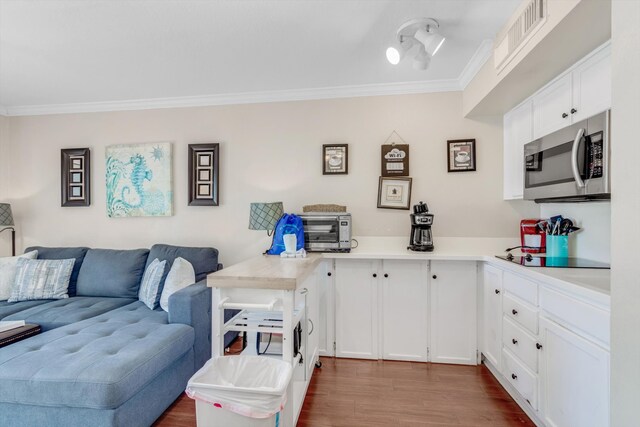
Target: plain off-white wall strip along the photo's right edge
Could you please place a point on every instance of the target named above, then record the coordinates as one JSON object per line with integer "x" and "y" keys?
{"x": 625, "y": 214}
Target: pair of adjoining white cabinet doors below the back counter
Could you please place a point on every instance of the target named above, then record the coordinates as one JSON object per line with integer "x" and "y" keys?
{"x": 381, "y": 309}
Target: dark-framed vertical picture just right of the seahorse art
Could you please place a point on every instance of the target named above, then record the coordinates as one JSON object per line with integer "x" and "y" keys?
{"x": 204, "y": 161}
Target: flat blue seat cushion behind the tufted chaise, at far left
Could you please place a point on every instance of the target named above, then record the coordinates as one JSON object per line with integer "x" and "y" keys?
{"x": 65, "y": 311}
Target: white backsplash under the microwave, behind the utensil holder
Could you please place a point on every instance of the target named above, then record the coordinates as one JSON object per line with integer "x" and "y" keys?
{"x": 593, "y": 241}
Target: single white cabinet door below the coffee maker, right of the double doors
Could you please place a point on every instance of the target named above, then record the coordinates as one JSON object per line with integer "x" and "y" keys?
{"x": 453, "y": 312}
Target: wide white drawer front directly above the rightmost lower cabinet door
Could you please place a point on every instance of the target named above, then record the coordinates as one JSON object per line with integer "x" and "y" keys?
{"x": 585, "y": 319}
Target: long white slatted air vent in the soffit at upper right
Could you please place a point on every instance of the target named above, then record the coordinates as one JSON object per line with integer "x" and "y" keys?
{"x": 525, "y": 25}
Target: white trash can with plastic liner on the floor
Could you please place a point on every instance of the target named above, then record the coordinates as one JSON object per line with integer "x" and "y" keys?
{"x": 240, "y": 391}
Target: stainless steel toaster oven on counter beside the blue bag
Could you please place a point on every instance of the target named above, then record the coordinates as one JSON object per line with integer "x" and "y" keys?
{"x": 327, "y": 232}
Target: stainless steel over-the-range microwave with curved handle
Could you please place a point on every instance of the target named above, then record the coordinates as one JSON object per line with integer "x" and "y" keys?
{"x": 571, "y": 164}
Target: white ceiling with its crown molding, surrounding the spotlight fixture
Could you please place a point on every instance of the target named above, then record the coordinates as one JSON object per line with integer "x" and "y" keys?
{"x": 94, "y": 55}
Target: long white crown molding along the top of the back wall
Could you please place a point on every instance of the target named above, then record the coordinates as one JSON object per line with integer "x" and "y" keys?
{"x": 241, "y": 98}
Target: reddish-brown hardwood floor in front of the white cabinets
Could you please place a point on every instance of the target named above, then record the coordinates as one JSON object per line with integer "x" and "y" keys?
{"x": 353, "y": 393}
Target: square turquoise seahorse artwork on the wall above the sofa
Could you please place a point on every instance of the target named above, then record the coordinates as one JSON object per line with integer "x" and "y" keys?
{"x": 139, "y": 180}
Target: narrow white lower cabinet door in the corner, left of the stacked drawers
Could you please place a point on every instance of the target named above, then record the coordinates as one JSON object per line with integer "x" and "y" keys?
{"x": 492, "y": 314}
